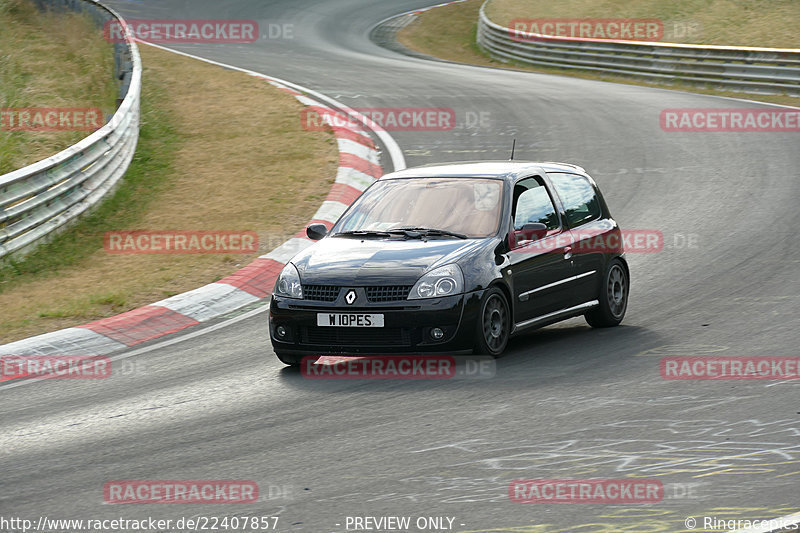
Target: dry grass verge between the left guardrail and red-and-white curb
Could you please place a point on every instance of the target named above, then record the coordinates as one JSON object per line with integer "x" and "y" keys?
{"x": 218, "y": 150}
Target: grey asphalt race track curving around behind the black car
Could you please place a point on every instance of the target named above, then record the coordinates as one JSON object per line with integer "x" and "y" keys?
{"x": 566, "y": 401}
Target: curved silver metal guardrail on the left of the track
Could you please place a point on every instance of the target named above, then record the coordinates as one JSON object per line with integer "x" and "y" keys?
{"x": 38, "y": 200}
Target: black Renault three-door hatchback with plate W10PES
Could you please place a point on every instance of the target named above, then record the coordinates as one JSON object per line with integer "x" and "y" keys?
{"x": 453, "y": 258}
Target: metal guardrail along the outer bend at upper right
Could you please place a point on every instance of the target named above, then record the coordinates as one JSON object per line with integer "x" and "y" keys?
{"x": 756, "y": 70}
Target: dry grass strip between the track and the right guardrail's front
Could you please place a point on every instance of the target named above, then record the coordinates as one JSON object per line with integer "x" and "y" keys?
{"x": 448, "y": 32}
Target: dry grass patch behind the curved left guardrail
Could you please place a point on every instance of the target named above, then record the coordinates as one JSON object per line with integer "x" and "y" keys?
{"x": 50, "y": 60}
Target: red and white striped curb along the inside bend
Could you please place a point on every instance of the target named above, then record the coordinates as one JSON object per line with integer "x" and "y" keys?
{"x": 359, "y": 167}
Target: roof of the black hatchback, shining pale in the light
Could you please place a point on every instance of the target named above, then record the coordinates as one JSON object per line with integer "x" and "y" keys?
{"x": 507, "y": 170}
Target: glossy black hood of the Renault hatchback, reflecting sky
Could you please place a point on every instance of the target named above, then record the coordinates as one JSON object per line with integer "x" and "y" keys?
{"x": 352, "y": 261}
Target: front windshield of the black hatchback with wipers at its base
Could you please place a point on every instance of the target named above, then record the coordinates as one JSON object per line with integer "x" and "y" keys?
{"x": 465, "y": 207}
